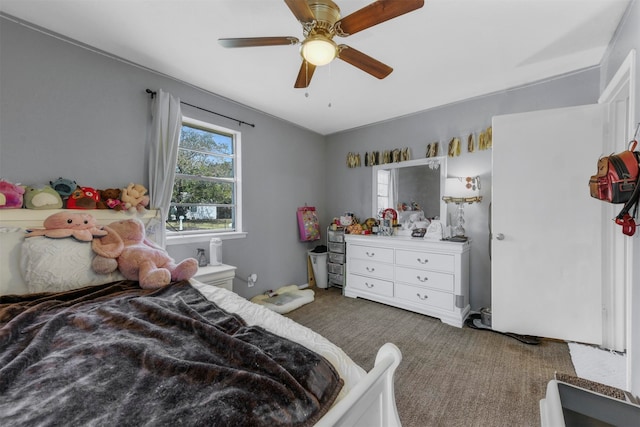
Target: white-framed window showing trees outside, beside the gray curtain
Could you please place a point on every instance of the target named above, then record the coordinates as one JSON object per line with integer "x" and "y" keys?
{"x": 206, "y": 192}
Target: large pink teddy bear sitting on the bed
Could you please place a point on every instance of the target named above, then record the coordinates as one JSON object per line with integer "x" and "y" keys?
{"x": 137, "y": 257}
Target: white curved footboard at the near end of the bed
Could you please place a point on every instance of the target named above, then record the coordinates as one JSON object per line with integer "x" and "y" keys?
{"x": 372, "y": 401}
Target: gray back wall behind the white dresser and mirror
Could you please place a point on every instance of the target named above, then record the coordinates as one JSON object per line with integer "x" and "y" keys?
{"x": 442, "y": 124}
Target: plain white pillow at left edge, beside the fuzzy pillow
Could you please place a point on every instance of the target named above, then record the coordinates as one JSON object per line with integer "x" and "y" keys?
{"x": 11, "y": 282}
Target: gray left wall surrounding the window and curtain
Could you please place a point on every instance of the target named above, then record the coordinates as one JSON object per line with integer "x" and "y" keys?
{"x": 67, "y": 111}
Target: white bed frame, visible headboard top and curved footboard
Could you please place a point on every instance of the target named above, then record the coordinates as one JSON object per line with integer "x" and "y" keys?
{"x": 370, "y": 403}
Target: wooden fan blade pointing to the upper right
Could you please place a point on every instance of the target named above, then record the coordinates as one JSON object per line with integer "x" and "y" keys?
{"x": 375, "y": 13}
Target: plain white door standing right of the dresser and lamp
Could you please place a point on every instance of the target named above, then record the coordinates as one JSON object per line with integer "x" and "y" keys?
{"x": 546, "y": 258}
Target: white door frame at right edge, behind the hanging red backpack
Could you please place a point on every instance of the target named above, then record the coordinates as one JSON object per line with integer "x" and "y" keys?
{"x": 618, "y": 267}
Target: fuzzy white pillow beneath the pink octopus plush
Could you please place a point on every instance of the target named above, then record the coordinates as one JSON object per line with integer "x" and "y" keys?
{"x": 54, "y": 265}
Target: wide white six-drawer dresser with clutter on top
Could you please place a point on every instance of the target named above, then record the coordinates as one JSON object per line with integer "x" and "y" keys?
{"x": 428, "y": 277}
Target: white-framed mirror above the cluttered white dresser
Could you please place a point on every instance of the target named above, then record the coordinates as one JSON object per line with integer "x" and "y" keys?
{"x": 419, "y": 182}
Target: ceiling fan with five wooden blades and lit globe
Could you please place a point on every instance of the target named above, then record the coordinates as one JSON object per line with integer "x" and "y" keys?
{"x": 320, "y": 20}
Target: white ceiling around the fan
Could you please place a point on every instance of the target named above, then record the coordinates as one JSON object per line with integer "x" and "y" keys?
{"x": 446, "y": 51}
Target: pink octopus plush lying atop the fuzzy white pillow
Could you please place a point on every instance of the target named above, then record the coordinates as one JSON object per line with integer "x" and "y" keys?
{"x": 80, "y": 226}
